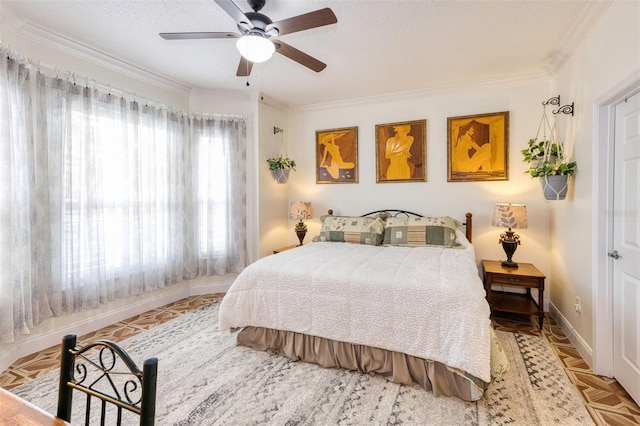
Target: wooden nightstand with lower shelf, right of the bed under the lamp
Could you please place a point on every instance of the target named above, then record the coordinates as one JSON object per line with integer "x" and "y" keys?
{"x": 524, "y": 276}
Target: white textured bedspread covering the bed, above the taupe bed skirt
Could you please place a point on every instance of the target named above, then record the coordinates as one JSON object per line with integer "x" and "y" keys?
{"x": 426, "y": 302}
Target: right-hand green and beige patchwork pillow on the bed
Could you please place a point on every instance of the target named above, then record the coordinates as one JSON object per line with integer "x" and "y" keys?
{"x": 421, "y": 231}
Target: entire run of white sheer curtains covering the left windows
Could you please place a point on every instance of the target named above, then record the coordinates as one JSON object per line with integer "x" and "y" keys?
{"x": 104, "y": 198}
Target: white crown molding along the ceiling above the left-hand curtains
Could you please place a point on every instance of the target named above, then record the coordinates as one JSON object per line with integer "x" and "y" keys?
{"x": 63, "y": 44}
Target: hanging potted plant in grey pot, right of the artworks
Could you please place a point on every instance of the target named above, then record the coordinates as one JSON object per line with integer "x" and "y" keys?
{"x": 547, "y": 161}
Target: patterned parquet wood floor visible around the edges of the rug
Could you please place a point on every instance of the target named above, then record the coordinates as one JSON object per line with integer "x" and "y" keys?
{"x": 604, "y": 398}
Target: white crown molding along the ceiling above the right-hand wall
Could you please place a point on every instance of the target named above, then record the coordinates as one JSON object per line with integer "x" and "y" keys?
{"x": 592, "y": 12}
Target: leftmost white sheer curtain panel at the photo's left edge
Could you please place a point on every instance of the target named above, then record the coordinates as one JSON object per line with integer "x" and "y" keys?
{"x": 16, "y": 197}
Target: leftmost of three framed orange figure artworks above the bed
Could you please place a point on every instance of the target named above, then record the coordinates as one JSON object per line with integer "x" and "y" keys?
{"x": 337, "y": 155}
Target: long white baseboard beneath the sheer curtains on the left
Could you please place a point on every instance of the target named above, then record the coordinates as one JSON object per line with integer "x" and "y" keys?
{"x": 50, "y": 332}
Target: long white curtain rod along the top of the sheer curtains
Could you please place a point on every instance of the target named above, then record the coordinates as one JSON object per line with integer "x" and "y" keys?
{"x": 70, "y": 76}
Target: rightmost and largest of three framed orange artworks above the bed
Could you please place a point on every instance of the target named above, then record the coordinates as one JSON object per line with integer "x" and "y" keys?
{"x": 477, "y": 147}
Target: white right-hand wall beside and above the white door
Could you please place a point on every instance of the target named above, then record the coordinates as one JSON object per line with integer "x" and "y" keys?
{"x": 608, "y": 56}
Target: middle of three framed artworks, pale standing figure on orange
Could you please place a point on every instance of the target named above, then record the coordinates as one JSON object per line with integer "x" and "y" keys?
{"x": 401, "y": 152}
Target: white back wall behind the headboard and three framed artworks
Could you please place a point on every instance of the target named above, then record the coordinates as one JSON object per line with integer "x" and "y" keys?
{"x": 522, "y": 98}
